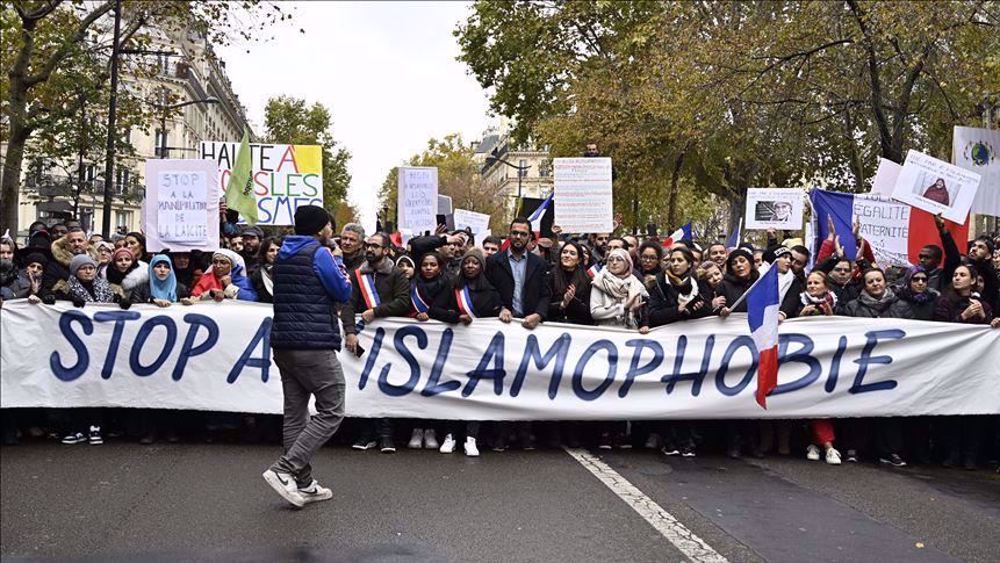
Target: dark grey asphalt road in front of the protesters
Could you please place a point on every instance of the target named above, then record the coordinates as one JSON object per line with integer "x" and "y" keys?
{"x": 209, "y": 503}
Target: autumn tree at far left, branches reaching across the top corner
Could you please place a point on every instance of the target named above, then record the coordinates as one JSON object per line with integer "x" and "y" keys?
{"x": 54, "y": 49}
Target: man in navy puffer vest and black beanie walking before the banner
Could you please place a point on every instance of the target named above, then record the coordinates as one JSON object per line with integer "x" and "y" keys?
{"x": 309, "y": 282}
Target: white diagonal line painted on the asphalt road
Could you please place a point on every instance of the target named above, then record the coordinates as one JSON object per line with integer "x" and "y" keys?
{"x": 669, "y": 527}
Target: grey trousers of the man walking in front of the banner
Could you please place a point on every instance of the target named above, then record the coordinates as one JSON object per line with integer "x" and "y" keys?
{"x": 304, "y": 373}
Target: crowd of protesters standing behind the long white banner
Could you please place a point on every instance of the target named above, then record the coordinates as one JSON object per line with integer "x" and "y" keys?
{"x": 601, "y": 279}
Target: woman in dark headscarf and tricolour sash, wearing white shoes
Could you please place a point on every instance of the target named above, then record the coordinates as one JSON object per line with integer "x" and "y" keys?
{"x": 473, "y": 297}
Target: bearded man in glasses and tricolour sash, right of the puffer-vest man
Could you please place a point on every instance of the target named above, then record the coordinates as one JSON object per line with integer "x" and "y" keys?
{"x": 380, "y": 289}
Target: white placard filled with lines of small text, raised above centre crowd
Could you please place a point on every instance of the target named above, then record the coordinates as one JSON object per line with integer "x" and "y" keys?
{"x": 583, "y": 194}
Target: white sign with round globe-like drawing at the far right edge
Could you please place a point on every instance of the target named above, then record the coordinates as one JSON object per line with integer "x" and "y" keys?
{"x": 975, "y": 149}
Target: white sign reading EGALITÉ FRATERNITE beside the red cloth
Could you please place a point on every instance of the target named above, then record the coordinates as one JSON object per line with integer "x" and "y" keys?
{"x": 885, "y": 224}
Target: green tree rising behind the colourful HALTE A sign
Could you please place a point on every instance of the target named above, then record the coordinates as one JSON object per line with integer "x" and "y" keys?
{"x": 290, "y": 121}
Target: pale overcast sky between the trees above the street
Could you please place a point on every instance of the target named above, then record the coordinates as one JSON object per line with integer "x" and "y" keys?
{"x": 386, "y": 70}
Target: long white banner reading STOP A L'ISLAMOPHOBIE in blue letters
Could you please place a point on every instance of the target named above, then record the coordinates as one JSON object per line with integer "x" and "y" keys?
{"x": 216, "y": 356}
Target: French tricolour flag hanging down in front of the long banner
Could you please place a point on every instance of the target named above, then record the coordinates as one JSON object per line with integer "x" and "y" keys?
{"x": 762, "y": 313}
